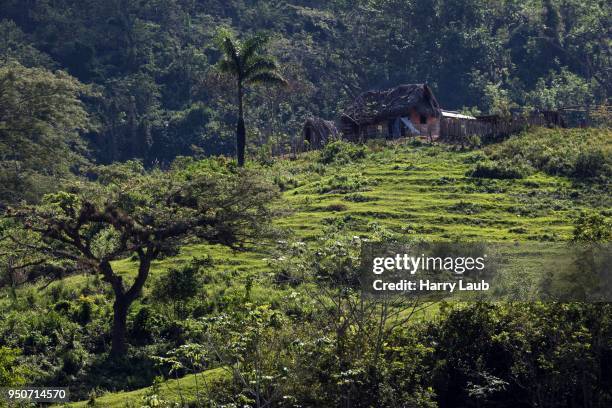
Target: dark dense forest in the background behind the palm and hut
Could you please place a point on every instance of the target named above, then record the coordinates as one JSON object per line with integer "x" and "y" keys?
{"x": 145, "y": 70}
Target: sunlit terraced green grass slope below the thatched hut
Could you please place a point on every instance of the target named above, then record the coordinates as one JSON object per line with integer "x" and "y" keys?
{"x": 425, "y": 191}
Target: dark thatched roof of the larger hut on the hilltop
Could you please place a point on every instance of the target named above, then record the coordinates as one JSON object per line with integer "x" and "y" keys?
{"x": 376, "y": 106}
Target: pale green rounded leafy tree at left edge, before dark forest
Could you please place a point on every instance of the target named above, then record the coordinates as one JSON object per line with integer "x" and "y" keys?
{"x": 41, "y": 115}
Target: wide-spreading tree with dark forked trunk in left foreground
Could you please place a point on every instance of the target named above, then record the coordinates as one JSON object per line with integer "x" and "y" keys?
{"x": 130, "y": 212}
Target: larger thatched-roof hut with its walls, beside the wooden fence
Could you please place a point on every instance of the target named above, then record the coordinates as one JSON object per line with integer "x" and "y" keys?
{"x": 409, "y": 109}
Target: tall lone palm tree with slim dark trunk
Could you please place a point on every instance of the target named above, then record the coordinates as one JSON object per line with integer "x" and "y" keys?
{"x": 246, "y": 62}
